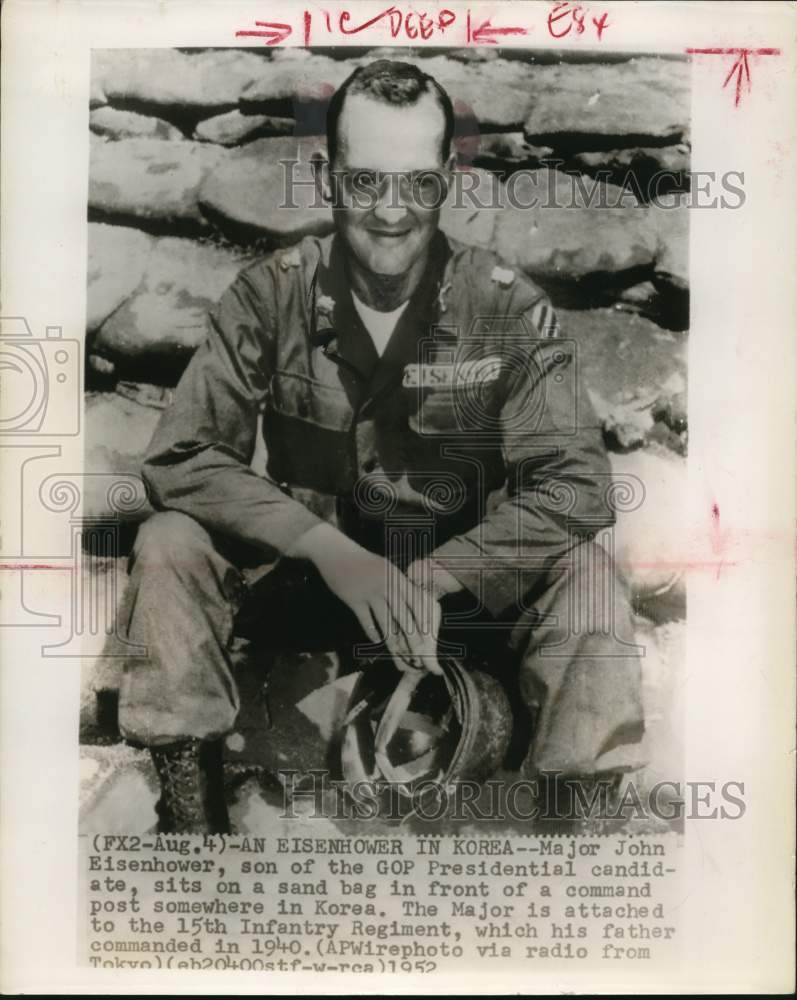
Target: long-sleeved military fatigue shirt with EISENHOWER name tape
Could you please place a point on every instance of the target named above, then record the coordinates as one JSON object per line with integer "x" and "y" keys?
{"x": 472, "y": 430}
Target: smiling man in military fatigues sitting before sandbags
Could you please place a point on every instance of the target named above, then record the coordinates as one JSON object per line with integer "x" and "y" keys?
{"x": 429, "y": 445}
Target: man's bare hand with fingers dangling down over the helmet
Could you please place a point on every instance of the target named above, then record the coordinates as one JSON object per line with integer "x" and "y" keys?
{"x": 390, "y": 607}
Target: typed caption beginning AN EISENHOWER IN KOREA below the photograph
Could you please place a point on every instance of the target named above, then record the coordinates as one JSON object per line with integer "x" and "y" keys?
{"x": 376, "y": 904}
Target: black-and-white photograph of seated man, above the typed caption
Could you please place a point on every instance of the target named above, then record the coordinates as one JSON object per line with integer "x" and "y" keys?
{"x": 397, "y": 343}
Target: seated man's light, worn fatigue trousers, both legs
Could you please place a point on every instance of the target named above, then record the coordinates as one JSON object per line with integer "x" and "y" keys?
{"x": 568, "y": 651}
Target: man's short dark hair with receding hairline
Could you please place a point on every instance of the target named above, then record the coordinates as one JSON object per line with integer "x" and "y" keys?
{"x": 398, "y": 83}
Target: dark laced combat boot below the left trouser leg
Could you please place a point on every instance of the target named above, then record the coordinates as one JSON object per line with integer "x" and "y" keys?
{"x": 192, "y": 787}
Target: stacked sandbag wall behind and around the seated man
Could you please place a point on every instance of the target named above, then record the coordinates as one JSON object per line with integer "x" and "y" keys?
{"x": 184, "y": 190}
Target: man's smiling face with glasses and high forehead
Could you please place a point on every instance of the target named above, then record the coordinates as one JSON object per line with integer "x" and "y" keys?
{"x": 388, "y": 226}
